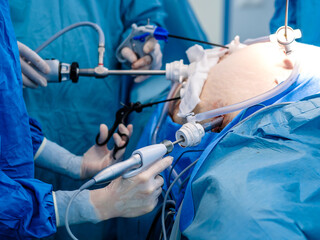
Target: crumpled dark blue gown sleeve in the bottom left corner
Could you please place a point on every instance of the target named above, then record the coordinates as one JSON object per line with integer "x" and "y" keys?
{"x": 27, "y": 209}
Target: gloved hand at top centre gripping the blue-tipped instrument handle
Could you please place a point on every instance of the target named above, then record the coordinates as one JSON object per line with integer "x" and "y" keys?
{"x": 153, "y": 59}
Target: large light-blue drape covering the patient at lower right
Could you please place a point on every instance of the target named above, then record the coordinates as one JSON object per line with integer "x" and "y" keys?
{"x": 261, "y": 181}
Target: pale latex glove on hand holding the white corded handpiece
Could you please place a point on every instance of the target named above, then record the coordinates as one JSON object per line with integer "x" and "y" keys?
{"x": 131, "y": 197}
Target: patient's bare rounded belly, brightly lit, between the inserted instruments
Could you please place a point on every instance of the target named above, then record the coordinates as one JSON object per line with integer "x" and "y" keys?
{"x": 241, "y": 75}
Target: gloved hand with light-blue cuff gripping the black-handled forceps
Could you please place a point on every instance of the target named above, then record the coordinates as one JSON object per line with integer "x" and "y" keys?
{"x": 55, "y": 158}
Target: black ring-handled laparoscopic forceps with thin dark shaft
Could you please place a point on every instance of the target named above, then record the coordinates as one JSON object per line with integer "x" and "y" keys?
{"x": 121, "y": 117}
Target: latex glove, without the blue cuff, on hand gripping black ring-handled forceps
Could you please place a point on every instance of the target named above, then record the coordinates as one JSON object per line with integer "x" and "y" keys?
{"x": 99, "y": 157}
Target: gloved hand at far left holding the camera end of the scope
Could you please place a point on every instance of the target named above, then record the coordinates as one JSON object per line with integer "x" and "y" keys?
{"x": 31, "y": 62}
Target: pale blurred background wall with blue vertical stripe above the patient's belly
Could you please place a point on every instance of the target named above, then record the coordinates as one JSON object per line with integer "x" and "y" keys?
{"x": 222, "y": 20}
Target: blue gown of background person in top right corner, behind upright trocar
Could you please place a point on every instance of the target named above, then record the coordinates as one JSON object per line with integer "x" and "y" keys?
{"x": 304, "y": 15}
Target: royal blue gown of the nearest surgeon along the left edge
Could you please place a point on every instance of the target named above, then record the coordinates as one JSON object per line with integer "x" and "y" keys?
{"x": 27, "y": 209}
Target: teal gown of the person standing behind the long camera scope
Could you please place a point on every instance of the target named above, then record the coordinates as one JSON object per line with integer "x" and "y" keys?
{"x": 70, "y": 114}
